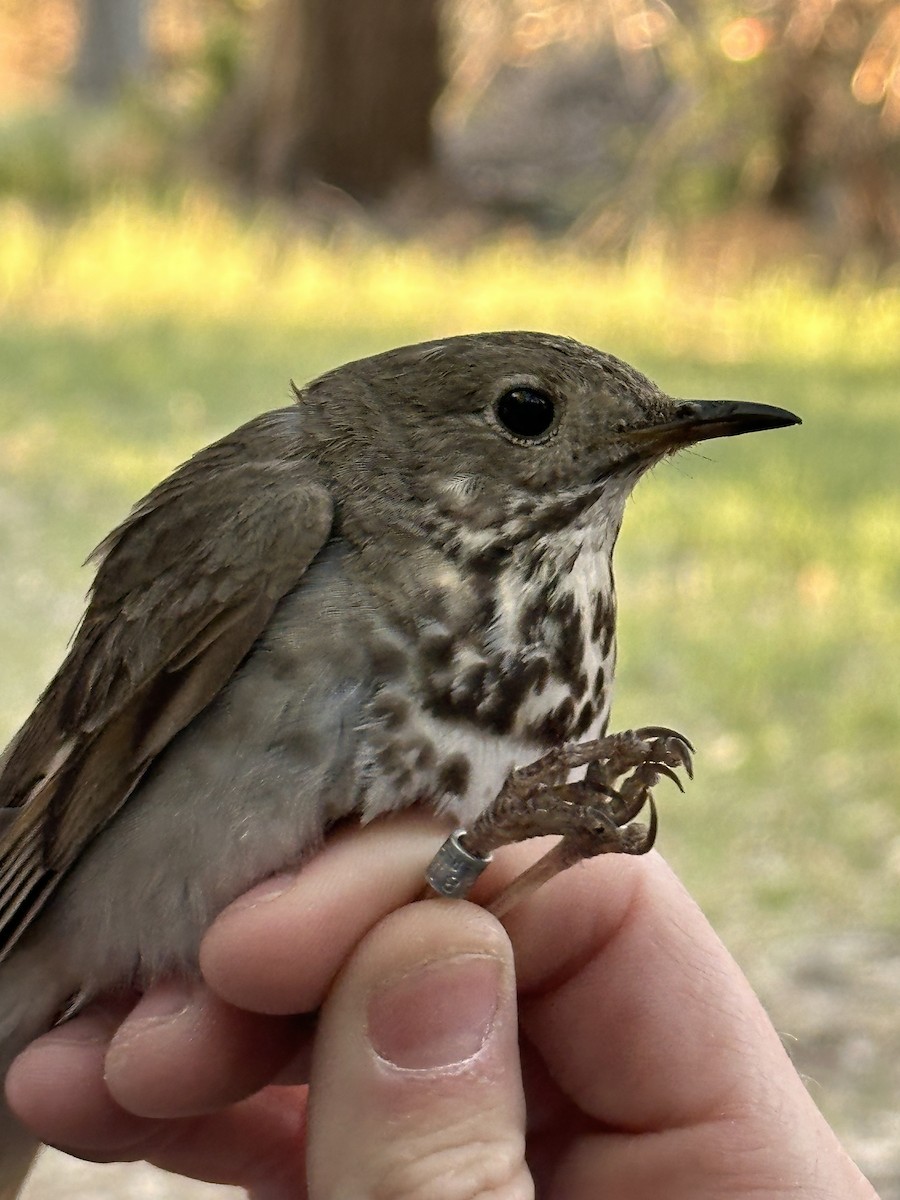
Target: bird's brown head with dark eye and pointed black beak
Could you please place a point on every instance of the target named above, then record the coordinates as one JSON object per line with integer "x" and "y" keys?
{"x": 509, "y": 427}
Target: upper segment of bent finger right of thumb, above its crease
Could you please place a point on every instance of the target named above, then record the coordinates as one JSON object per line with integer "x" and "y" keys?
{"x": 638, "y": 994}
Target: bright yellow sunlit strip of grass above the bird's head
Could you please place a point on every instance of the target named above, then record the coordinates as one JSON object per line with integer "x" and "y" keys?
{"x": 199, "y": 262}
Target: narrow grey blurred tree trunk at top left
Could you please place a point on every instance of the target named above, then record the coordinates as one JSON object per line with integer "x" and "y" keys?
{"x": 112, "y": 51}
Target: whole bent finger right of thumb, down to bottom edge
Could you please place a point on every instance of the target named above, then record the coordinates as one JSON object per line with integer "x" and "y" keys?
{"x": 646, "y": 1023}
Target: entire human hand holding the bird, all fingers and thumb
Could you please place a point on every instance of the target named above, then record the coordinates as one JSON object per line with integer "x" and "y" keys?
{"x": 603, "y": 1043}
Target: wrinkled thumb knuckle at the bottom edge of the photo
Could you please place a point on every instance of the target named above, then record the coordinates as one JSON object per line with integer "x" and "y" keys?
{"x": 475, "y": 1171}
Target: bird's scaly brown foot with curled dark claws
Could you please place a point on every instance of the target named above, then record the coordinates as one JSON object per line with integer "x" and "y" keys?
{"x": 595, "y": 815}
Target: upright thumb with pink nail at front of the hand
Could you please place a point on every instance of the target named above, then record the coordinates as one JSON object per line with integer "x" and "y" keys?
{"x": 417, "y": 1085}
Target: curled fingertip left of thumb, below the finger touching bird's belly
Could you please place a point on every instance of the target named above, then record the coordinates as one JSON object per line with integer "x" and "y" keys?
{"x": 183, "y": 1052}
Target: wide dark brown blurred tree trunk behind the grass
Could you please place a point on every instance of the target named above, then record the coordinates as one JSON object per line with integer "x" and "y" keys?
{"x": 340, "y": 93}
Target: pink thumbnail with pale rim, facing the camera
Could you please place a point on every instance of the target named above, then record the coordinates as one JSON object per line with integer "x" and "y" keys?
{"x": 437, "y": 1016}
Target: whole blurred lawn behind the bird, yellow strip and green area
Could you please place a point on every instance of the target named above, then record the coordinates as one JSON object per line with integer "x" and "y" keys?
{"x": 759, "y": 580}
